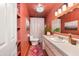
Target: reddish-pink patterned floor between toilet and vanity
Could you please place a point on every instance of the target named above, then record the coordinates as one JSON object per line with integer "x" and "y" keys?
{"x": 36, "y": 51}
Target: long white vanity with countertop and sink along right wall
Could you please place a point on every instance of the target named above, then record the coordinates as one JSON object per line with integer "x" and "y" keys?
{"x": 58, "y": 47}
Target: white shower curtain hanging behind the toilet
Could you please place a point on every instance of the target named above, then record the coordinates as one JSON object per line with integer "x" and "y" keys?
{"x": 37, "y": 27}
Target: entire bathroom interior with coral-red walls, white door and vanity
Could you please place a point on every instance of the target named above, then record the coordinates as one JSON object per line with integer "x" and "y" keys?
{"x": 39, "y": 29}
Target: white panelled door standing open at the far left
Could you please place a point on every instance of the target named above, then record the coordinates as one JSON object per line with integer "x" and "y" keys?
{"x": 8, "y": 29}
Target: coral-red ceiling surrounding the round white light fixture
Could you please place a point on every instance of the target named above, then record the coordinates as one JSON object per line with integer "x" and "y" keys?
{"x": 48, "y": 8}
